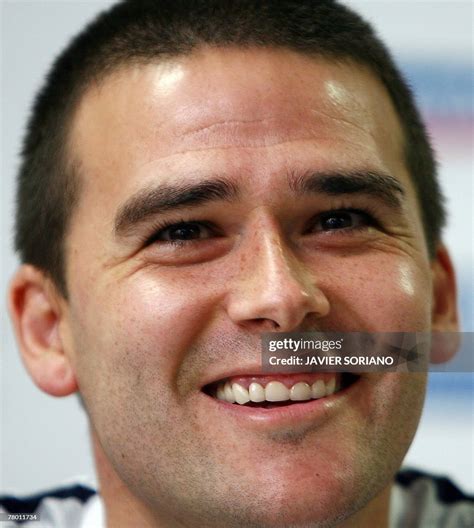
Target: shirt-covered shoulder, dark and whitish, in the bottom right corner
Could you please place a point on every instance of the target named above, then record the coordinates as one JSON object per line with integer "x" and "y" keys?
{"x": 422, "y": 500}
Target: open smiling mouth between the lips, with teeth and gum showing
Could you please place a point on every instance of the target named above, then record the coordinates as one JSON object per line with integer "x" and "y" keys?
{"x": 279, "y": 390}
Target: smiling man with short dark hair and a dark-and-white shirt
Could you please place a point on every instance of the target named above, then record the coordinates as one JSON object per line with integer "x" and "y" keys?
{"x": 196, "y": 174}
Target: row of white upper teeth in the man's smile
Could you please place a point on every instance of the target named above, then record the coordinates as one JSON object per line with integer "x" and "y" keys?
{"x": 275, "y": 391}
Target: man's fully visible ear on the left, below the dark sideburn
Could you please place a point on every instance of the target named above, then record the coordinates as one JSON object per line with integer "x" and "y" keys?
{"x": 36, "y": 308}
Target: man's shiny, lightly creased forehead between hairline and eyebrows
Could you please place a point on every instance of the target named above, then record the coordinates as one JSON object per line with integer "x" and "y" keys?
{"x": 221, "y": 108}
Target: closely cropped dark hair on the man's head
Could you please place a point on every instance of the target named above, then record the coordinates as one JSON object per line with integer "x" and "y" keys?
{"x": 142, "y": 31}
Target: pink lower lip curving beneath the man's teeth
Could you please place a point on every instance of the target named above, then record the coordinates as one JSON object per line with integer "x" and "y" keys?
{"x": 313, "y": 411}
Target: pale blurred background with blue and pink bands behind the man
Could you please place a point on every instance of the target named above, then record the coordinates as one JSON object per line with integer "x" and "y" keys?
{"x": 43, "y": 440}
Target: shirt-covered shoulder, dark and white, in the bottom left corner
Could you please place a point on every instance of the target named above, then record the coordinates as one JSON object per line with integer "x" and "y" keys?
{"x": 57, "y": 507}
